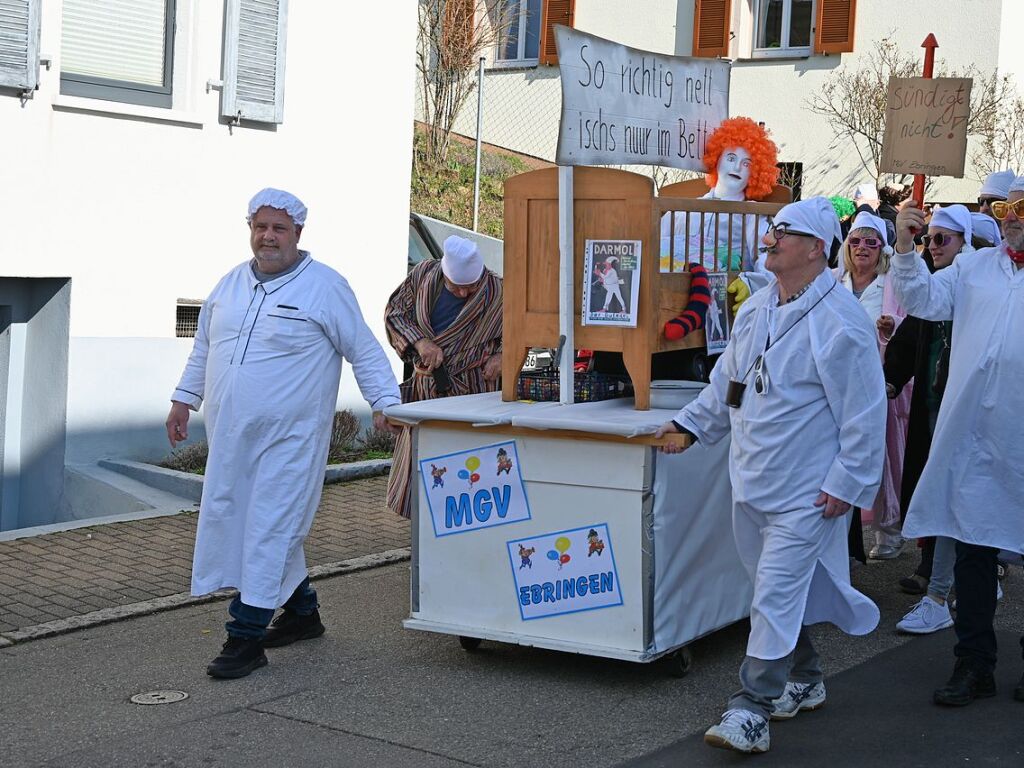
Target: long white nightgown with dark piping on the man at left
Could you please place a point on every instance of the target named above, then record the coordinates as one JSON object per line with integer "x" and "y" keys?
{"x": 267, "y": 362}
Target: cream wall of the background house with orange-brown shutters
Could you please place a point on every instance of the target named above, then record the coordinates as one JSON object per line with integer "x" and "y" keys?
{"x": 523, "y": 107}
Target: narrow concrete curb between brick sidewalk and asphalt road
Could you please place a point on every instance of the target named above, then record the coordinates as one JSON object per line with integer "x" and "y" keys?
{"x": 185, "y": 600}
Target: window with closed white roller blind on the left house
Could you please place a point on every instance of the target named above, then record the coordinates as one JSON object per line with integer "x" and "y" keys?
{"x": 118, "y": 51}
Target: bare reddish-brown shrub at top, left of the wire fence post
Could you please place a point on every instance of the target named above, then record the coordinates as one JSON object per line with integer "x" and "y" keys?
{"x": 453, "y": 35}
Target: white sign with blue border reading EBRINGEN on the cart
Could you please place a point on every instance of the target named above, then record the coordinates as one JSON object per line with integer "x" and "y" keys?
{"x": 565, "y": 573}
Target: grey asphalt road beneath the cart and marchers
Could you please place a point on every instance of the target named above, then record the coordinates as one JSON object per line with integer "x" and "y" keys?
{"x": 370, "y": 693}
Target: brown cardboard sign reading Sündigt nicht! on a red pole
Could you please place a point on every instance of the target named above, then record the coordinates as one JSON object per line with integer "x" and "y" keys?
{"x": 926, "y": 126}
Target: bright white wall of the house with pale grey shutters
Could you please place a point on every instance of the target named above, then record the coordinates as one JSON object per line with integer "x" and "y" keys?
{"x": 143, "y": 206}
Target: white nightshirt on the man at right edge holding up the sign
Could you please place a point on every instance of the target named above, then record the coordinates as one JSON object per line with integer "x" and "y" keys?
{"x": 973, "y": 485}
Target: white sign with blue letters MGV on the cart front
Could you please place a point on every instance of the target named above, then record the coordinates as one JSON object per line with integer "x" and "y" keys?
{"x": 474, "y": 490}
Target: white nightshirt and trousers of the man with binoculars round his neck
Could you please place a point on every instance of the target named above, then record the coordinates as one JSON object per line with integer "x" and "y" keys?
{"x": 821, "y": 428}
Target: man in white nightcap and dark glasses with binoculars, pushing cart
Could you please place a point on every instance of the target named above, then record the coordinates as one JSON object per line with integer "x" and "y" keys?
{"x": 801, "y": 388}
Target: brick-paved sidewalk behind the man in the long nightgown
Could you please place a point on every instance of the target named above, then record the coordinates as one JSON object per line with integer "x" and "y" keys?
{"x": 75, "y": 573}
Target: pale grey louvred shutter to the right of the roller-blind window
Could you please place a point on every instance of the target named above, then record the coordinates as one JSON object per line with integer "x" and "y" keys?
{"x": 255, "y": 33}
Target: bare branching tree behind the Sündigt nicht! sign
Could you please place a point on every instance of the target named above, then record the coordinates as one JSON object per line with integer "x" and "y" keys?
{"x": 854, "y": 101}
